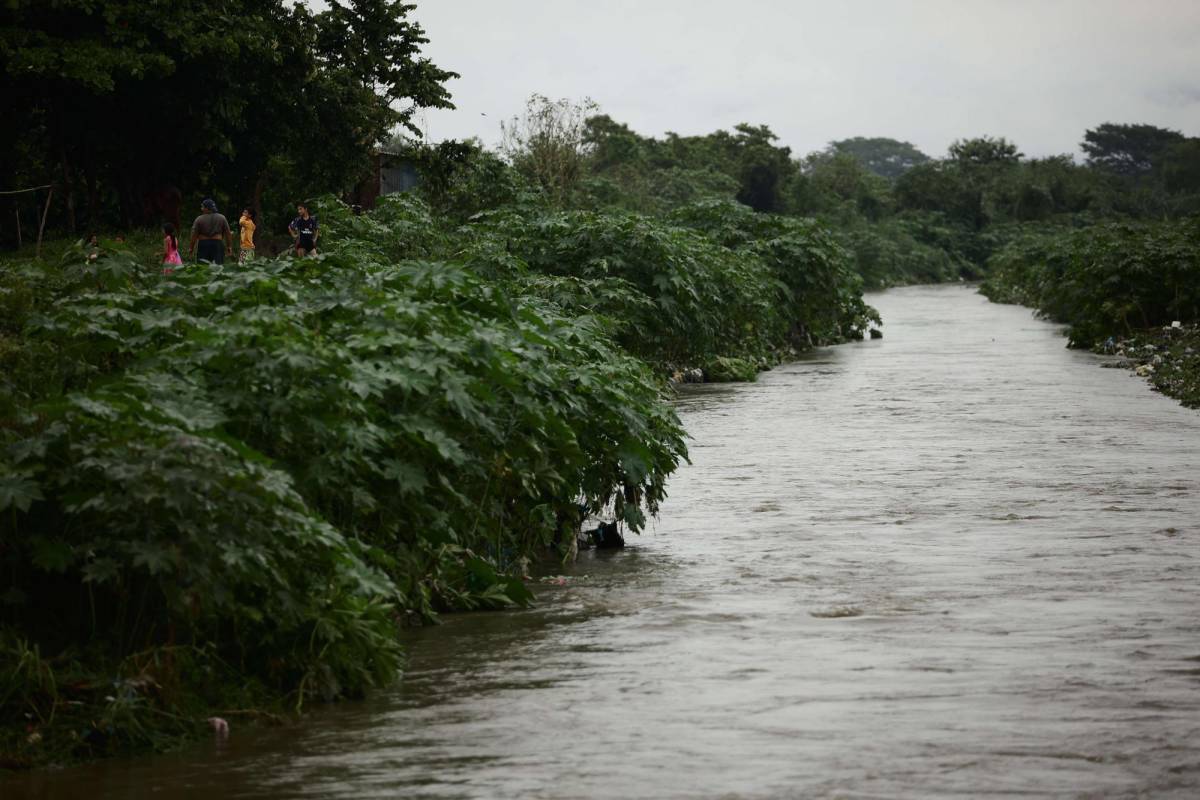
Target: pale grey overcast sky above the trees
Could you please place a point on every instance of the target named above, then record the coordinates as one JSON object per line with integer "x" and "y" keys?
{"x": 926, "y": 71}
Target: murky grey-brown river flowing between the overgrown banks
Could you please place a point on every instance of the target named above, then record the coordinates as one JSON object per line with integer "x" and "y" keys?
{"x": 958, "y": 562}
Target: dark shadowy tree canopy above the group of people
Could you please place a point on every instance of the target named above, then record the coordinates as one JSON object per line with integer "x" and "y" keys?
{"x": 130, "y": 98}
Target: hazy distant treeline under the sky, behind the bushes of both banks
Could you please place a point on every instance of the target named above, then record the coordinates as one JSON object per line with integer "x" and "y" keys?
{"x": 904, "y": 215}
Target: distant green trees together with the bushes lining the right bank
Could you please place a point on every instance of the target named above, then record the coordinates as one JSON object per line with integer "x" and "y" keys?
{"x": 1108, "y": 245}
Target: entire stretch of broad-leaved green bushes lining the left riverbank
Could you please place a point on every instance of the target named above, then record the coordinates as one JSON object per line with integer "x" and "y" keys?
{"x": 229, "y": 488}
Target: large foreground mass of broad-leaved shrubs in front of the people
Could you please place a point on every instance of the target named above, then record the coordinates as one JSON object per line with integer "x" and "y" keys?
{"x": 268, "y": 464}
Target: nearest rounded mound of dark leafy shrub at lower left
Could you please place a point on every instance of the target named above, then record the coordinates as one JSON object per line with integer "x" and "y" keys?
{"x": 134, "y": 514}
